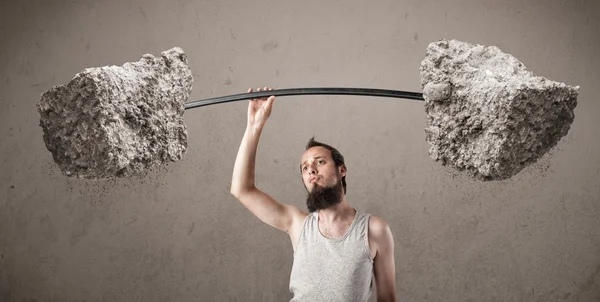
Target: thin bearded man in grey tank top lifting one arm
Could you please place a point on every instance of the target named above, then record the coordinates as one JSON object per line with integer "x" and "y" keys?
{"x": 337, "y": 250}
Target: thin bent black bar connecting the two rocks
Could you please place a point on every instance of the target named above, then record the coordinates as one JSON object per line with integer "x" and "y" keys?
{"x": 307, "y": 91}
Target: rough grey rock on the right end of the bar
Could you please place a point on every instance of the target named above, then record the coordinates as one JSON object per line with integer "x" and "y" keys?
{"x": 486, "y": 114}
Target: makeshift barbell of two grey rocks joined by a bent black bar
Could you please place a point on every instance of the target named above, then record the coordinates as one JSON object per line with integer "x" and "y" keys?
{"x": 486, "y": 114}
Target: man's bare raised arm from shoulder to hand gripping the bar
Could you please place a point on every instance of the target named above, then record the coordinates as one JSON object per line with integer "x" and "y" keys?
{"x": 263, "y": 206}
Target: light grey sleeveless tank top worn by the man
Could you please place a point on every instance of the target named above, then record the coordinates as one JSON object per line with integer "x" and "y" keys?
{"x": 326, "y": 269}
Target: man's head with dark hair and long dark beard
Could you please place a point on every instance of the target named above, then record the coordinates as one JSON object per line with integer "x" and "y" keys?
{"x": 323, "y": 174}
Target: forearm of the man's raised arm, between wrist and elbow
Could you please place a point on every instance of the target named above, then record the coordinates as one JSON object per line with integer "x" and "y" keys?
{"x": 244, "y": 167}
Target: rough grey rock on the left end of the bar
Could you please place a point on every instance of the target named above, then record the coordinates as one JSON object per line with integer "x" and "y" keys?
{"x": 119, "y": 120}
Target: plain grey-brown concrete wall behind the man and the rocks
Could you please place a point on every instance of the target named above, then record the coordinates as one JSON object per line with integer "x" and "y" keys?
{"x": 178, "y": 235}
